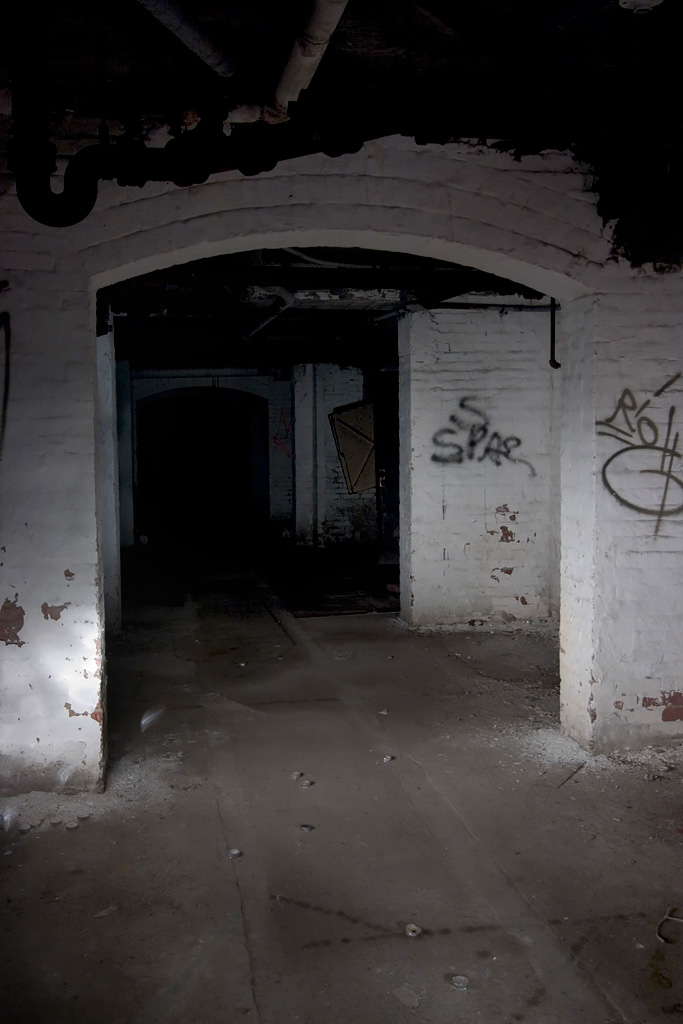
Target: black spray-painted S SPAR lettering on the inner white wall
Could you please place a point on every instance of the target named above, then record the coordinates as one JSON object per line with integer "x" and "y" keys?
{"x": 469, "y": 439}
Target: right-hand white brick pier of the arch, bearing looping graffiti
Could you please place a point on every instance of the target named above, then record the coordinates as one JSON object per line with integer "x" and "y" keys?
{"x": 622, "y": 519}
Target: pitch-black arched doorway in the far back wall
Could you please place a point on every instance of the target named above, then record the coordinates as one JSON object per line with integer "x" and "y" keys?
{"x": 202, "y": 481}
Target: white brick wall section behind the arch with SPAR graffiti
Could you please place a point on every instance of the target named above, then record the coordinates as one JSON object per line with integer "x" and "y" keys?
{"x": 482, "y": 543}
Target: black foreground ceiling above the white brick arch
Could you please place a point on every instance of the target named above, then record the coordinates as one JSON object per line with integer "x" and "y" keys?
{"x": 586, "y": 75}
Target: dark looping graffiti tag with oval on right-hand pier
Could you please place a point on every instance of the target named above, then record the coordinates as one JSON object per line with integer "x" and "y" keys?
{"x": 646, "y": 474}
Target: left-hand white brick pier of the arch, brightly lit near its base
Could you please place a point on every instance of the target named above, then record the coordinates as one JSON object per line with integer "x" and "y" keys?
{"x": 51, "y": 578}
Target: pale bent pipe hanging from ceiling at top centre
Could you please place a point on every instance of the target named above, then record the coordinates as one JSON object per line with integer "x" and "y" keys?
{"x": 309, "y": 50}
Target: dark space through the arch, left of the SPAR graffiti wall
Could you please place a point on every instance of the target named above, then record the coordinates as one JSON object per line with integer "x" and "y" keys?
{"x": 227, "y": 481}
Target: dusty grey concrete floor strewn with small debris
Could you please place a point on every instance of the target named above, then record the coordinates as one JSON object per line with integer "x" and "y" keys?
{"x": 538, "y": 874}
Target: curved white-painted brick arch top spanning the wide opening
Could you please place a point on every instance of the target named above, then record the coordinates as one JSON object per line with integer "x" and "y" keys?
{"x": 532, "y": 222}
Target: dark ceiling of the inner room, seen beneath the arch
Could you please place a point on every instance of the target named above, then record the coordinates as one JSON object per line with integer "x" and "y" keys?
{"x": 275, "y": 308}
